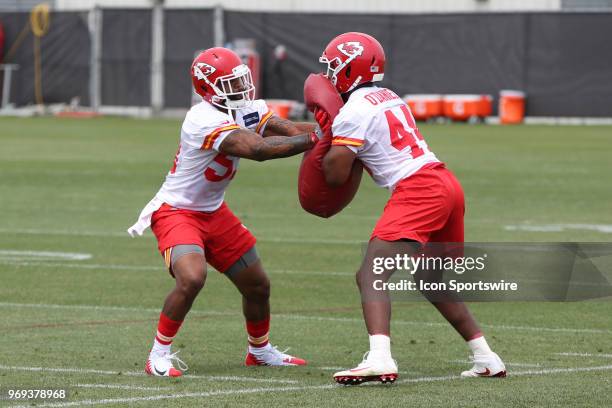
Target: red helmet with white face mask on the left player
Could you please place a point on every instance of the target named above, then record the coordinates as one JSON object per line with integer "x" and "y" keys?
{"x": 220, "y": 77}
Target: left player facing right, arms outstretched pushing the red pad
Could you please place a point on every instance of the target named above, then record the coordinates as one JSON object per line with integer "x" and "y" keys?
{"x": 189, "y": 217}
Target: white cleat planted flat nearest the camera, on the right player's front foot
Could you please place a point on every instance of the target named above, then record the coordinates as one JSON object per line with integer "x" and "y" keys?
{"x": 370, "y": 369}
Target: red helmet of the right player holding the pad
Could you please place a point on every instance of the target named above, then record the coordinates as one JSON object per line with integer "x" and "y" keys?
{"x": 353, "y": 59}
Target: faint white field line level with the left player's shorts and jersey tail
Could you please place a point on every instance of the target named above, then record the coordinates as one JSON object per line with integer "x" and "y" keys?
{"x": 121, "y": 234}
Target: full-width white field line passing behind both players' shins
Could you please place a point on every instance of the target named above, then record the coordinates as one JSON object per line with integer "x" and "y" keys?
{"x": 304, "y": 317}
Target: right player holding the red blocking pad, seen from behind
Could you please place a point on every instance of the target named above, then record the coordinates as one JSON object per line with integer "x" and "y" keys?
{"x": 426, "y": 204}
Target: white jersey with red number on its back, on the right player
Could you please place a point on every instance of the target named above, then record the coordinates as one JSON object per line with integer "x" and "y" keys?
{"x": 378, "y": 126}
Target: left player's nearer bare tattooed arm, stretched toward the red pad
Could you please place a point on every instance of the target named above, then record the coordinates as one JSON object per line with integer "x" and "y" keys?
{"x": 250, "y": 145}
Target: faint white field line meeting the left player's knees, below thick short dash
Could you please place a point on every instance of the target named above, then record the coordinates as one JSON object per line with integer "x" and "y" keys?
{"x": 160, "y": 267}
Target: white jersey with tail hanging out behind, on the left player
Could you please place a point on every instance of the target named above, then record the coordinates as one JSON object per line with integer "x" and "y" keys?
{"x": 200, "y": 173}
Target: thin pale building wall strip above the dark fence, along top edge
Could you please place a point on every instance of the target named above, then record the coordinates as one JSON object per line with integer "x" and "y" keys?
{"x": 345, "y": 6}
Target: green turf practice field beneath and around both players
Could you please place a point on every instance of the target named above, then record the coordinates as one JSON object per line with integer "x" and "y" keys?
{"x": 74, "y": 186}
